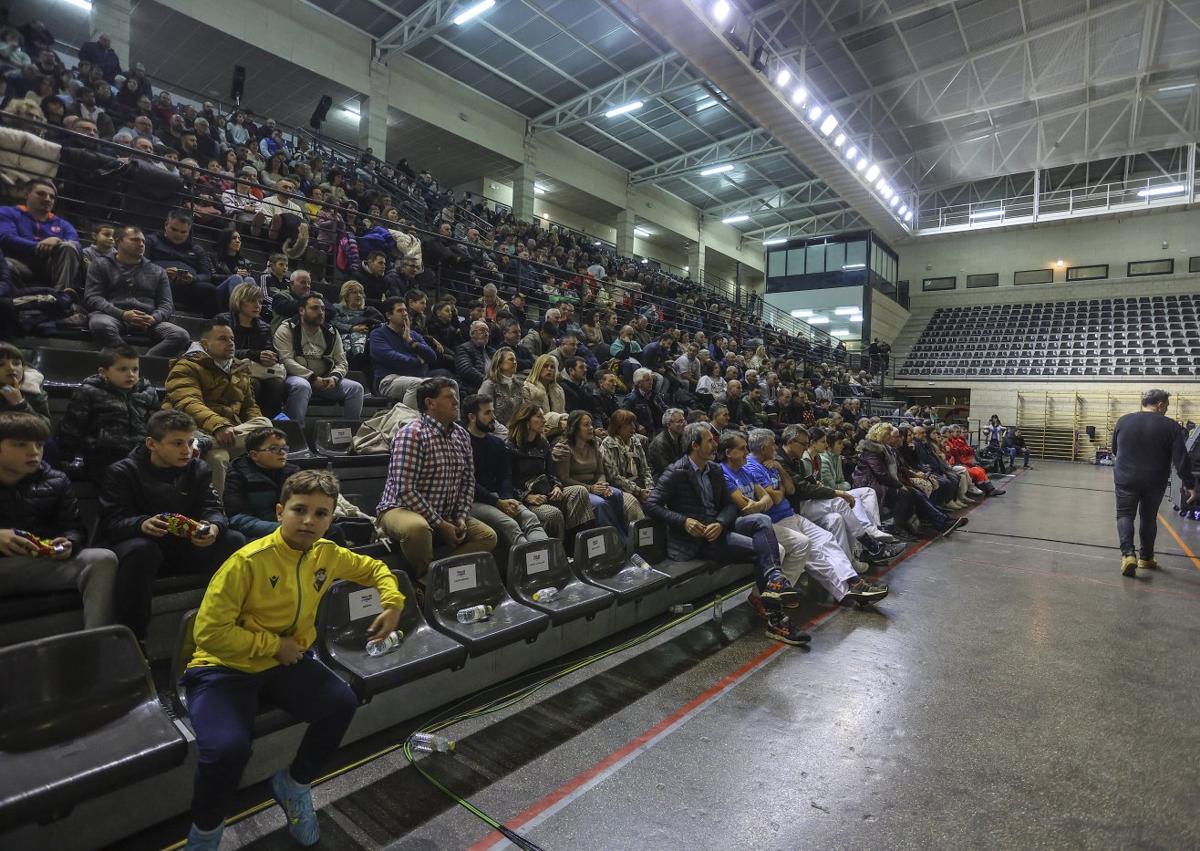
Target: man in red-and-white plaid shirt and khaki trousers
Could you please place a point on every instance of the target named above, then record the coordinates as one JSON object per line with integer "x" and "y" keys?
{"x": 431, "y": 483}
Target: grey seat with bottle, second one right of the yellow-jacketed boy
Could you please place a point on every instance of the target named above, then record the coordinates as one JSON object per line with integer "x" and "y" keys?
{"x": 464, "y": 582}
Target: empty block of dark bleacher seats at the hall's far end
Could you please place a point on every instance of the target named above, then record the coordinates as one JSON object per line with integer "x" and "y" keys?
{"x": 1148, "y": 335}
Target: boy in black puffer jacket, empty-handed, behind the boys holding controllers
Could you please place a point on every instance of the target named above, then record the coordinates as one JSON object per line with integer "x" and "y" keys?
{"x": 107, "y": 415}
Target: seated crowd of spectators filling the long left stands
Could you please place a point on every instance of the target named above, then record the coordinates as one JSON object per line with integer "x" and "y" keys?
{"x": 544, "y": 385}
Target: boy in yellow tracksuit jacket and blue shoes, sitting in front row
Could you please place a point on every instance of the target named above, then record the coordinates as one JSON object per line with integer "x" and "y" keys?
{"x": 254, "y": 636}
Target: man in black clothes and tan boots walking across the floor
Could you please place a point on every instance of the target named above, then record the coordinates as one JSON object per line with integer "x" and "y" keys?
{"x": 1145, "y": 446}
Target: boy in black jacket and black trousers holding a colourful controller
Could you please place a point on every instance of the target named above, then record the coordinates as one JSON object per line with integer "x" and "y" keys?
{"x": 161, "y": 477}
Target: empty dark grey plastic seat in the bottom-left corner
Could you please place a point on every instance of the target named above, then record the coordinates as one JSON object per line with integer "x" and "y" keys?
{"x": 79, "y": 718}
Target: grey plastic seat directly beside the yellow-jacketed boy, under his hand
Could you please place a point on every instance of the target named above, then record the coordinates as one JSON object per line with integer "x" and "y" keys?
{"x": 343, "y": 626}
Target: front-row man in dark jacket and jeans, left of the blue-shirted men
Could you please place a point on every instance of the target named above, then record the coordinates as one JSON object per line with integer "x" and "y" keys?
{"x": 694, "y": 501}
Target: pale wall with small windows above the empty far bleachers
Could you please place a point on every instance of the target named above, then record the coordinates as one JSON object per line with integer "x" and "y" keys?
{"x": 1115, "y": 242}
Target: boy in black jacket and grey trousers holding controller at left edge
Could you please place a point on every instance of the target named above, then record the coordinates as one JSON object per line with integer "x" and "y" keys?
{"x": 39, "y": 500}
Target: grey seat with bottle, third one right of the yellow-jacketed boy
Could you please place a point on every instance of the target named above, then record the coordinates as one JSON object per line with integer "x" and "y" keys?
{"x": 541, "y": 565}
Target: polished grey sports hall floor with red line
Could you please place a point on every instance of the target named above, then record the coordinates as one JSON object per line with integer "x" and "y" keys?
{"x": 1013, "y": 692}
